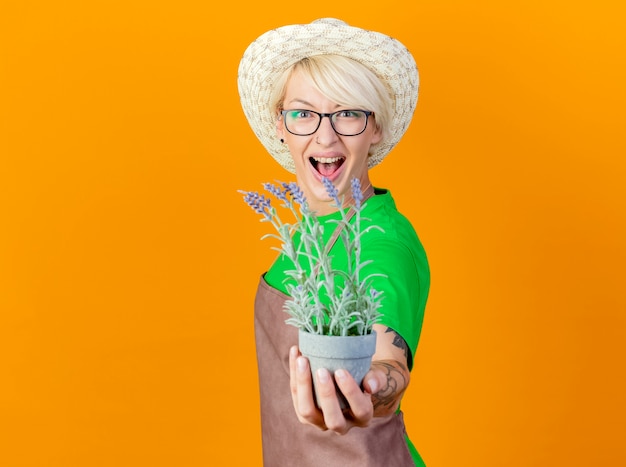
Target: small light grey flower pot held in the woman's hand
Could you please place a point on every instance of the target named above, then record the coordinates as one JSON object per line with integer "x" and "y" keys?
{"x": 351, "y": 353}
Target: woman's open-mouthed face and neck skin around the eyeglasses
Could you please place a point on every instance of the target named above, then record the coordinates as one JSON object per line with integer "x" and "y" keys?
{"x": 339, "y": 158}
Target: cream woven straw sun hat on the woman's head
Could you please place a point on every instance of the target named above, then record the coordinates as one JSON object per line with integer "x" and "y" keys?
{"x": 273, "y": 52}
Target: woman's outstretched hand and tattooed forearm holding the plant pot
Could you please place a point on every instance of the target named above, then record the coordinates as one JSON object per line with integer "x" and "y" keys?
{"x": 383, "y": 387}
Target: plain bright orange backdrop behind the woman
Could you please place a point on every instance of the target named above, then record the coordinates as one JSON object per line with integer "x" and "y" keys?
{"x": 128, "y": 262}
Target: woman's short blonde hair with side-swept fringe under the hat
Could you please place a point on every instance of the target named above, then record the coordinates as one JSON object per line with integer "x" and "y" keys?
{"x": 344, "y": 81}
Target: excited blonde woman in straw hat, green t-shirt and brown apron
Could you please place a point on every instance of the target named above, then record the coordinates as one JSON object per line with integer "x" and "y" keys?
{"x": 330, "y": 100}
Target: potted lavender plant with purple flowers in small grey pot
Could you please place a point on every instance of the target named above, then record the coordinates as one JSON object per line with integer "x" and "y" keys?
{"x": 333, "y": 310}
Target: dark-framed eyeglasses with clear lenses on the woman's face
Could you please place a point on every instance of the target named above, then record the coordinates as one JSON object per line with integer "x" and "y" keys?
{"x": 306, "y": 122}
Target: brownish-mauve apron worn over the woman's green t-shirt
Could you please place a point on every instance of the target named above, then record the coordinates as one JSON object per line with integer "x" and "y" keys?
{"x": 286, "y": 441}
